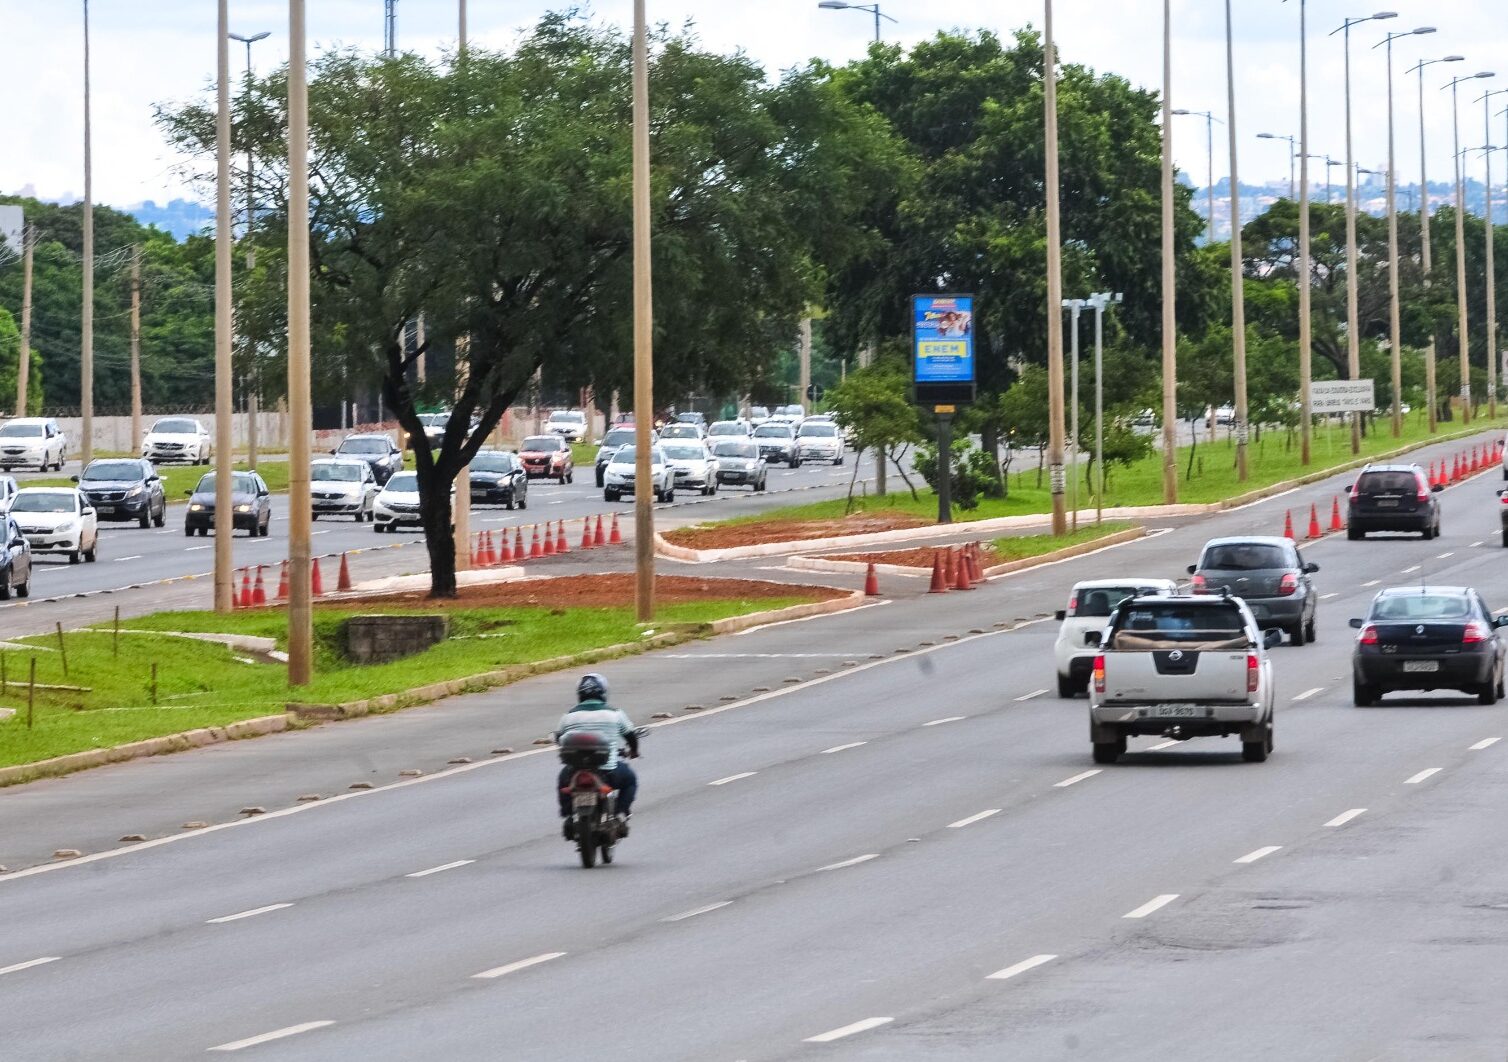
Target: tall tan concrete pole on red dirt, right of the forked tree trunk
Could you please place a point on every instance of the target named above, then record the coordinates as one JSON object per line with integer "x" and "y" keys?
{"x": 643, "y": 328}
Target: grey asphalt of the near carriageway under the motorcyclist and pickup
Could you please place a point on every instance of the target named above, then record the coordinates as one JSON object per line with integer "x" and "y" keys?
{"x": 897, "y": 856}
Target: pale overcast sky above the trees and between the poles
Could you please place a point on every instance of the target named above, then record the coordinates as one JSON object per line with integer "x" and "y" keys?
{"x": 164, "y": 51}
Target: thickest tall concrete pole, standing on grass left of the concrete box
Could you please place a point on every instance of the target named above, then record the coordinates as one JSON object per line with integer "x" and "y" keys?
{"x": 301, "y": 619}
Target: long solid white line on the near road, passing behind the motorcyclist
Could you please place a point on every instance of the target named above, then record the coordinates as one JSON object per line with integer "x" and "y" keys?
{"x": 479, "y": 766}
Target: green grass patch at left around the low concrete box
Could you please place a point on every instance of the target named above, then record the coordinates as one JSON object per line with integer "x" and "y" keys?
{"x": 203, "y": 684}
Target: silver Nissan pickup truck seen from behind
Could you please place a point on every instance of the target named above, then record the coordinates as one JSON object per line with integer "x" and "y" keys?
{"x": 1183, "y": 668}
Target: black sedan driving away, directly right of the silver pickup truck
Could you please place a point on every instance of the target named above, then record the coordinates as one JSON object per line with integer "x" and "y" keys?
{"x": 1429, "y": 639}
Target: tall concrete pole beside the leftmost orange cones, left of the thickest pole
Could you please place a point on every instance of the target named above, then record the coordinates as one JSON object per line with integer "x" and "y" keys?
{"x": 224, "y": 325}
